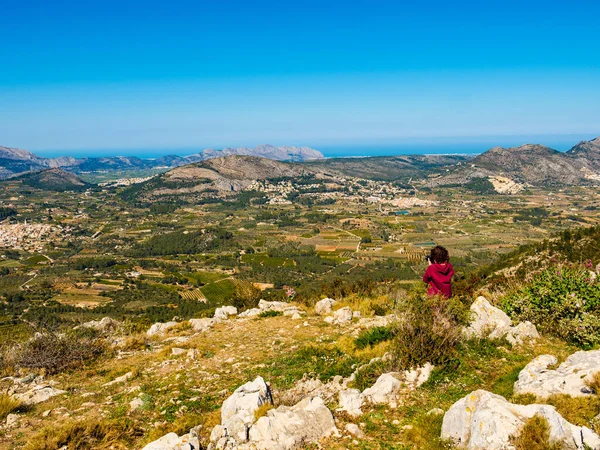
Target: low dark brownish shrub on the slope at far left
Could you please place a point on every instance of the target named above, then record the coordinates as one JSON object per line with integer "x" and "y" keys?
{"x": 54, "y": 352}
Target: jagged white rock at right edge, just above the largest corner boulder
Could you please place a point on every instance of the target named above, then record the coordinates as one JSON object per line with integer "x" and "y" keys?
{"x": 569, "y": 378}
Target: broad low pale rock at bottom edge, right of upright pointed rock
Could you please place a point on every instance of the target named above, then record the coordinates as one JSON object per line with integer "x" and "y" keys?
{"x": 287, "y": 428}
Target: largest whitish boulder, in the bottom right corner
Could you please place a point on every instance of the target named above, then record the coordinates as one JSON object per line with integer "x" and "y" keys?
{"x": 486, "y": 421}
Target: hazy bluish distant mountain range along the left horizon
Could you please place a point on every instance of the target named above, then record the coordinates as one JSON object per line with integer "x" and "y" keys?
{"x": 16, "y": 161}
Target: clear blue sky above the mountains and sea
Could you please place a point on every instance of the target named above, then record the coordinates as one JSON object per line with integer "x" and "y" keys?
{"x": 133, "y": 76}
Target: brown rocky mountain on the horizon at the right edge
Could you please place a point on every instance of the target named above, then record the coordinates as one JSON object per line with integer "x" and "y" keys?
{"x": 532, "y": 164}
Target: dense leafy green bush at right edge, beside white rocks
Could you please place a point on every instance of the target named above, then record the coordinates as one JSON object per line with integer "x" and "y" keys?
{"x": 563, "y": 301}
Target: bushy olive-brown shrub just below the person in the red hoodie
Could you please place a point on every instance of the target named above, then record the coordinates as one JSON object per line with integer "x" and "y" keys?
{"x": 429, "y": 330}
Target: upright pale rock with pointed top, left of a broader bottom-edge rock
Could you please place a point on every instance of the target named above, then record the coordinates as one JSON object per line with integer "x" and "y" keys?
{"x": 237, "y": 412}
